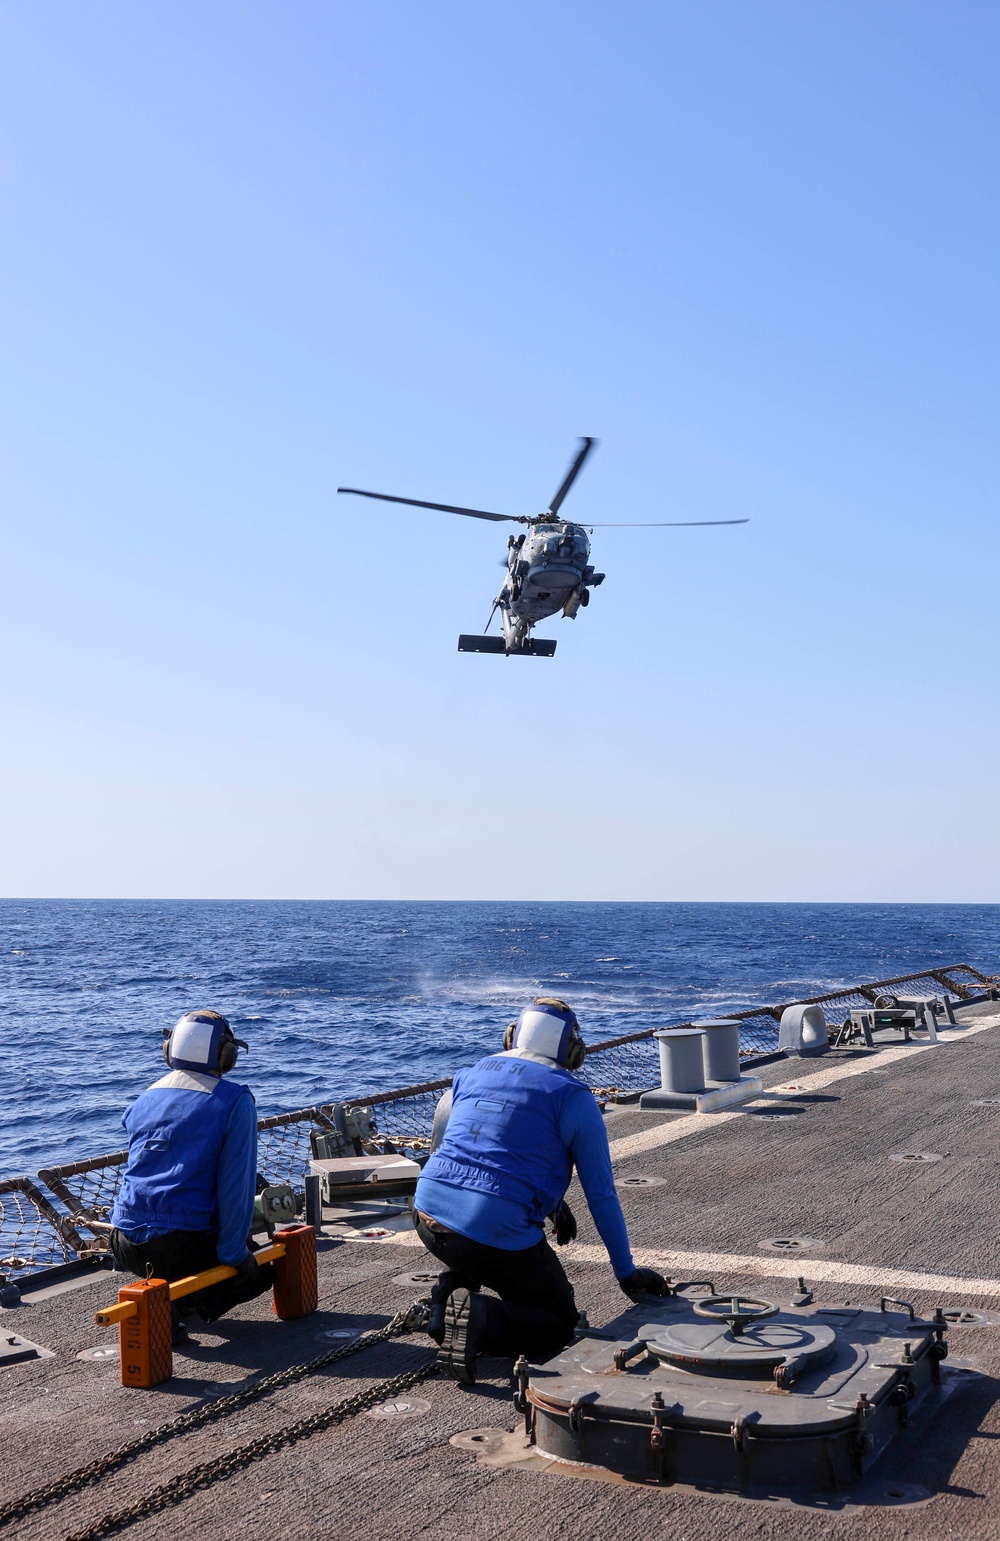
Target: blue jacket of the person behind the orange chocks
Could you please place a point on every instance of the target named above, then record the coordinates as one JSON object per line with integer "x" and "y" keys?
{"x": 192, "y": 1163}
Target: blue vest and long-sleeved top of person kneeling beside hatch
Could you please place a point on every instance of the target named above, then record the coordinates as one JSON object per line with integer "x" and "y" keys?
{"x": 517, "y": 1130}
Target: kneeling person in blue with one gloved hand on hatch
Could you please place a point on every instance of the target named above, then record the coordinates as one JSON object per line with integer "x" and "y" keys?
{"x": 517, "y": 1126}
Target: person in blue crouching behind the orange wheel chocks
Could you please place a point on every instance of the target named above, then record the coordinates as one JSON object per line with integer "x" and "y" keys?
{"x": 187, "y": 1197}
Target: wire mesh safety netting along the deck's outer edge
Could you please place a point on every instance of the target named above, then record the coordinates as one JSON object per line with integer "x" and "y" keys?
{"x": 41, "y": 1230}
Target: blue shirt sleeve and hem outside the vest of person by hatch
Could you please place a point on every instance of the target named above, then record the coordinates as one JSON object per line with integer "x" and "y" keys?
{"x": 502, "y": 1223}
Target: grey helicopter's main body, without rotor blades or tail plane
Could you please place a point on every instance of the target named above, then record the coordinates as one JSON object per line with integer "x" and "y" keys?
{"x": 548, "y": 571}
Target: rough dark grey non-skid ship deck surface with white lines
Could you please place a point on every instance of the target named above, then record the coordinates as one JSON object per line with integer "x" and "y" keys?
{"x": 810, "y": 1166}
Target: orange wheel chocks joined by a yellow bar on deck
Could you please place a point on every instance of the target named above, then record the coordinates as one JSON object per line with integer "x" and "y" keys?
{"x": 144, "y": 1308}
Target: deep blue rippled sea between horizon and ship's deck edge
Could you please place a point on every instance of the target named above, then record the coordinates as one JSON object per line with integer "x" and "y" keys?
{"x": 338, "y": 999}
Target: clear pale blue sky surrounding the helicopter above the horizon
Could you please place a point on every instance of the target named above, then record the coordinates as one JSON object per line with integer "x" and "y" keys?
{"x": 253, "y": 252}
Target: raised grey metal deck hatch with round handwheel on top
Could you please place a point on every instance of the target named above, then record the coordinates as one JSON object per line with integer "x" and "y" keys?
{"x": 810, "y": 1397}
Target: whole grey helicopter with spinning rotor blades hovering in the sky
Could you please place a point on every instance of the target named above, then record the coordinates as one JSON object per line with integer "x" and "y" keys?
{"x": 548, "y": 566}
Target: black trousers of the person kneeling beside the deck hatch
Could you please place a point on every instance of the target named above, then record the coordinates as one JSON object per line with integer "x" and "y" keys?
{"x": 535, "y": 1314}
